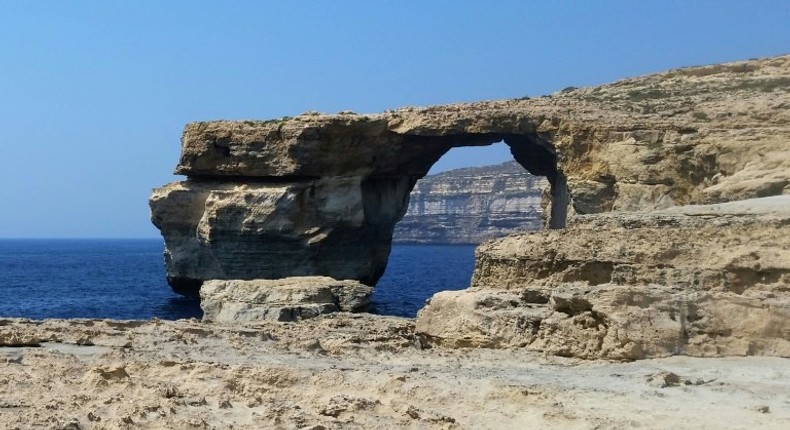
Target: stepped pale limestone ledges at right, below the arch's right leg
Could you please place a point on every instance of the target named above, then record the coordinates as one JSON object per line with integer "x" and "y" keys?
{"x": 697, "y": 280}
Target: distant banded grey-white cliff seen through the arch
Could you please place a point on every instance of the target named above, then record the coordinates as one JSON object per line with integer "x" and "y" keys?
{"x": 471, "y": 205}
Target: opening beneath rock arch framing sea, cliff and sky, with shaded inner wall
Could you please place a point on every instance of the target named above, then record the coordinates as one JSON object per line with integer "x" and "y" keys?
{"x": 431, "y": 256}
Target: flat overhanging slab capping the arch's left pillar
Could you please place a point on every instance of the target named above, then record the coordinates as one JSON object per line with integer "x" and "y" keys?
{"x": 307, "y": 146}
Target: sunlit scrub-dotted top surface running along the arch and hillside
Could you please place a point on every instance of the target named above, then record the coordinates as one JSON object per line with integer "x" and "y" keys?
{"x": 752, "y": 93}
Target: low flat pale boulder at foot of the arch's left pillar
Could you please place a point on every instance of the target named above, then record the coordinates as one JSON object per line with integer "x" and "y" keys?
{"x": 288, "y": 299}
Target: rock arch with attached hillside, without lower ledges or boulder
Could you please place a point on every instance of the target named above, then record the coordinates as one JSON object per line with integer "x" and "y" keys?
{"x": 320, "y": 194}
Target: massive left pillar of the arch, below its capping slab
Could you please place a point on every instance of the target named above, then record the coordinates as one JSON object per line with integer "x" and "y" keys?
{"x": 238, "y": 230}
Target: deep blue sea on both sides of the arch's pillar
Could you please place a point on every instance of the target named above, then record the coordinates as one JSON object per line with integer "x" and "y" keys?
{"x": 125, "y": 279}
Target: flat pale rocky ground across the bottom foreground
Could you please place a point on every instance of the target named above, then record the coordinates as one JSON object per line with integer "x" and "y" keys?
{"x": 355, "y": 371}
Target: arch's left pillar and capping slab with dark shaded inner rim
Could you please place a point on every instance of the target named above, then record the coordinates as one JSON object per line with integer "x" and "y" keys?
{"x": 312, "y": 195}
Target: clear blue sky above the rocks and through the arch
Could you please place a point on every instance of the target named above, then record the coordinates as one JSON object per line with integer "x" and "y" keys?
{"x": 94, "y": 94}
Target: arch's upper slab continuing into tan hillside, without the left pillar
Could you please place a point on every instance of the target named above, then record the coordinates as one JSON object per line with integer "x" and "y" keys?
{"x": 694, "y": 135}
